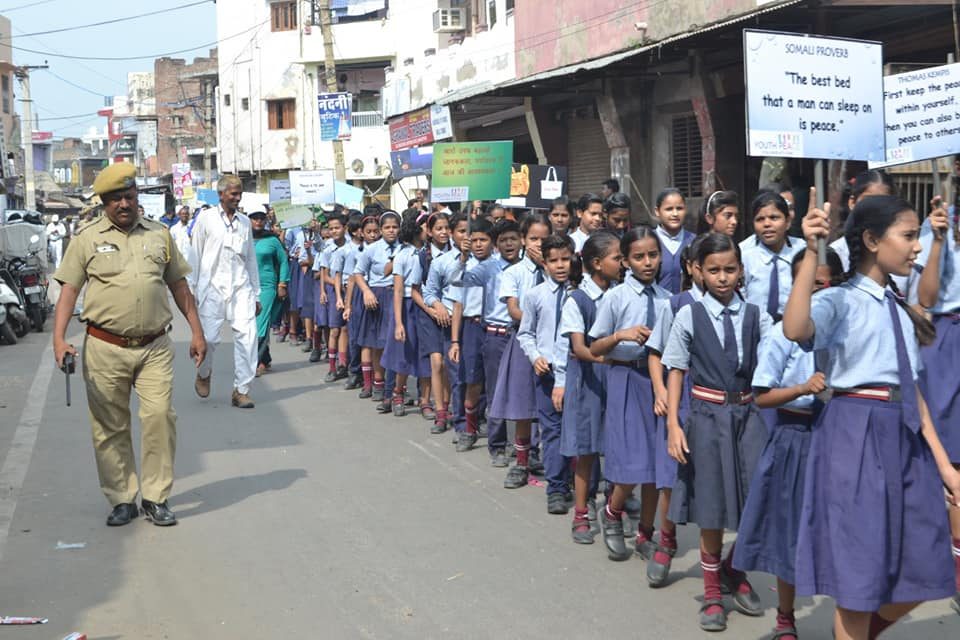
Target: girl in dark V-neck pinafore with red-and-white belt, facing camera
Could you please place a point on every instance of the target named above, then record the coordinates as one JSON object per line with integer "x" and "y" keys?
{"x": 715, "y": 341}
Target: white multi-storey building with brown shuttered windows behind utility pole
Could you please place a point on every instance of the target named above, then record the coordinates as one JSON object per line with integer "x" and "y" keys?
{"x": 271, "y": 74}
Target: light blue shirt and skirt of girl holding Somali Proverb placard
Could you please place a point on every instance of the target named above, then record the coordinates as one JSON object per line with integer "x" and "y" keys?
{"x": 873, "y": 528}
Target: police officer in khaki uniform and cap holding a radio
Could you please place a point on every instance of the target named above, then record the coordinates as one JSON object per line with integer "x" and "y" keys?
{"x": 128, "y": 264}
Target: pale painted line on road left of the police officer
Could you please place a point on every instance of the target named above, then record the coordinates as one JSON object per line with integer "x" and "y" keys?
{"x": 15, "y": 466}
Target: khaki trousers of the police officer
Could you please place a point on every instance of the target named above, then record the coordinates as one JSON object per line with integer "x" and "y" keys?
{"x": 110, "y": 372}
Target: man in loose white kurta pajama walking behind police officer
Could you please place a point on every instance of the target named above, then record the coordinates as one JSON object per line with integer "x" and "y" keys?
{"x": 226, "y": 284}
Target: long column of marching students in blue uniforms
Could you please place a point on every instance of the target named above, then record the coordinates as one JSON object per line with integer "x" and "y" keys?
{"x": 812, "y": 408}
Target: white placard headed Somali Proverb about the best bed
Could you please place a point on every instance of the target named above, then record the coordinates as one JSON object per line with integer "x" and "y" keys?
{"x": 813, "y": 97}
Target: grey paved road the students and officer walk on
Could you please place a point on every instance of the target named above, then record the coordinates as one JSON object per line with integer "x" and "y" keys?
{"x": 313, "y": 517}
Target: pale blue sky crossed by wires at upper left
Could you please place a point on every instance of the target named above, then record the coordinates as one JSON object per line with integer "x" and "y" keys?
{"x": 57, "y": 99}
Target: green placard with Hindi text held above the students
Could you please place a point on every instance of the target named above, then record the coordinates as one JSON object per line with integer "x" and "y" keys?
{"x": 471, "y": 171}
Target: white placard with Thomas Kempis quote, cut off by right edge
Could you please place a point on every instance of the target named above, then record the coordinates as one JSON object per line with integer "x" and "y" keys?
{"x": 922, "y": 114}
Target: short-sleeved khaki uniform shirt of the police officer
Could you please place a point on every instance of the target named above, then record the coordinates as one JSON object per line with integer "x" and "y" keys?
{"x": 127, "y": 275}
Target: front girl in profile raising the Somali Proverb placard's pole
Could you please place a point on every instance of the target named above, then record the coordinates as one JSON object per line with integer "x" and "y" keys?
{"x": 873, "y": 529}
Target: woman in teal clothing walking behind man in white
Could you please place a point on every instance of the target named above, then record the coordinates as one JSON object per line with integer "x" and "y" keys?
{"x": 274, "y": 275}
